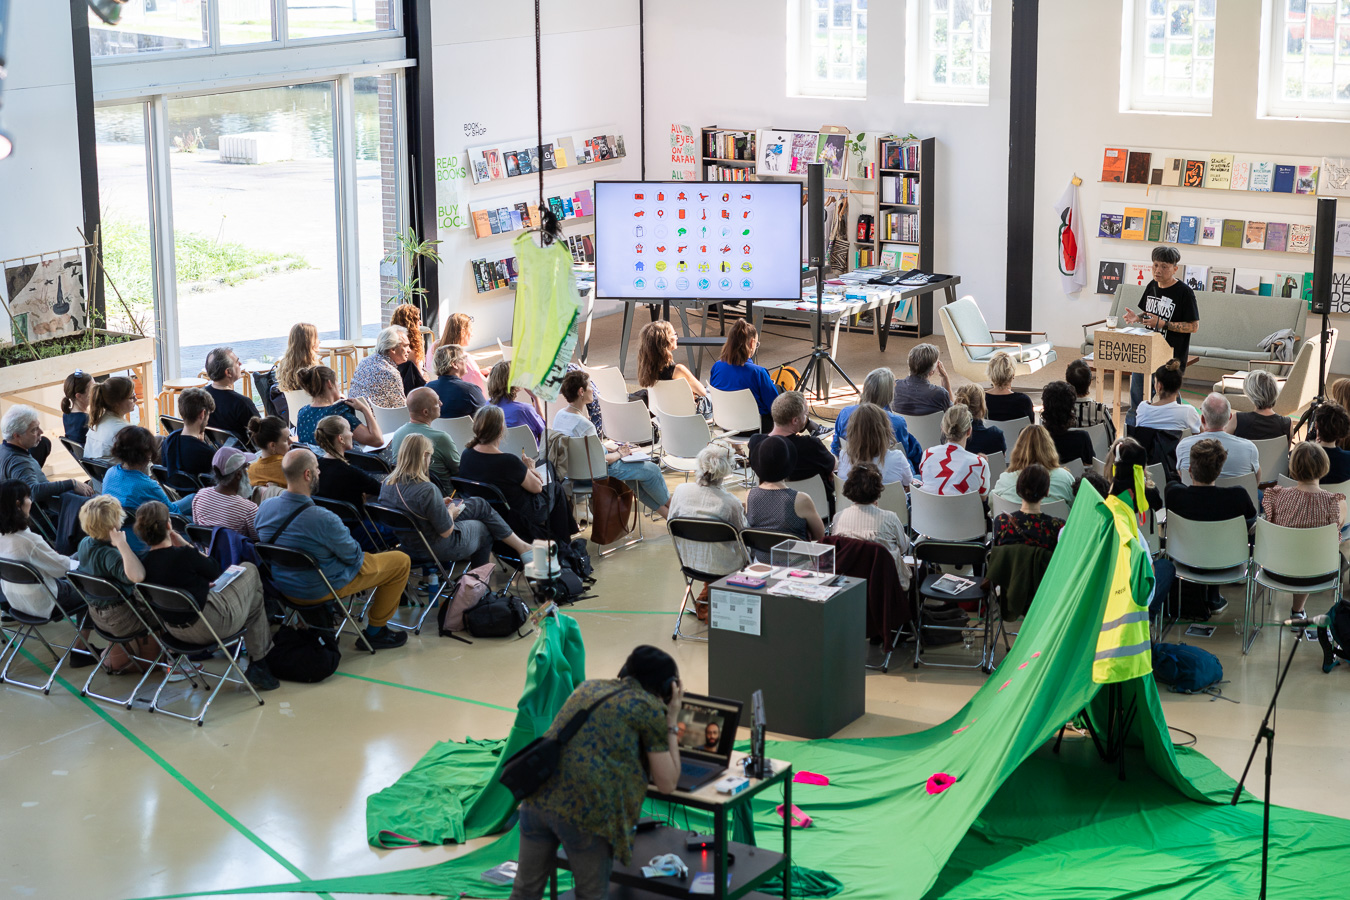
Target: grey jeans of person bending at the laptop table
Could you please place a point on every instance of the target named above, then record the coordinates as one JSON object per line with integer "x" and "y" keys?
{"x": 589, "y": 856}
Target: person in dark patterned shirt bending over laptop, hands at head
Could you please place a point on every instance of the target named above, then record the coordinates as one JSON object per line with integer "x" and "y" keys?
{"x": 595, "y": 798}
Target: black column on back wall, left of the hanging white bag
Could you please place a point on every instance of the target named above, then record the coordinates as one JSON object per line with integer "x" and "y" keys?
{"x": 1023, "y": 164}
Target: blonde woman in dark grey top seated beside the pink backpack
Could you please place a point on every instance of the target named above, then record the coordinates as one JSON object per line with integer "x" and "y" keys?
{"x": 456, "y": 530}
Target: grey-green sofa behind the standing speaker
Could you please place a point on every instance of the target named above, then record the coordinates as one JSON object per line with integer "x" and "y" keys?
{"x": 1232, "y": 326}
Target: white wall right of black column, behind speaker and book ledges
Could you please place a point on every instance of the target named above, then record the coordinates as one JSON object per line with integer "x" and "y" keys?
{"x": 1078, "y": 115}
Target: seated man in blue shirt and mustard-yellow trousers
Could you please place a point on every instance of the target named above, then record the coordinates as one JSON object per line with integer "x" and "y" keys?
{"x": 292, "y": 520}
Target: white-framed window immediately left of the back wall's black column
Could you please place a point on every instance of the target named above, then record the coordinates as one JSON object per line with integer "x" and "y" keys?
{"x": 948, "y": 55}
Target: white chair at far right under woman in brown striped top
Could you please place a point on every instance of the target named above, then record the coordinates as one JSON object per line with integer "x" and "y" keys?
{"x": 1282, "y": 554}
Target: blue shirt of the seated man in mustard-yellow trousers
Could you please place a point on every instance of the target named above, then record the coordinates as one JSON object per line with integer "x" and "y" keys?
{"x": 319, "y": 534}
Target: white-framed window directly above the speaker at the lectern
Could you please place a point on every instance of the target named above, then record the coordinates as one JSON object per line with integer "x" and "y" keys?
{"x": 1170, "y": 56}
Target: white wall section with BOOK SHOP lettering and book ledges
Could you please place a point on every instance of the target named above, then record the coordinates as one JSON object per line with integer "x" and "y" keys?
{"x": 485, "y": 74}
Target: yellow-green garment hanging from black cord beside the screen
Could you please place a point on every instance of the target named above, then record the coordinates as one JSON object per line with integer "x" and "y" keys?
{"x": 545, "y": 327}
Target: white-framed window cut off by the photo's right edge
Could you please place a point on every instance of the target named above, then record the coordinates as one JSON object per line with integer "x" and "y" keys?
{"x": 1309, "y": 60}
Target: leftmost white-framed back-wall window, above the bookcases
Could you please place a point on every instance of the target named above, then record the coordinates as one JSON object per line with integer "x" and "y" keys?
{"x": 828, "y": 43}
